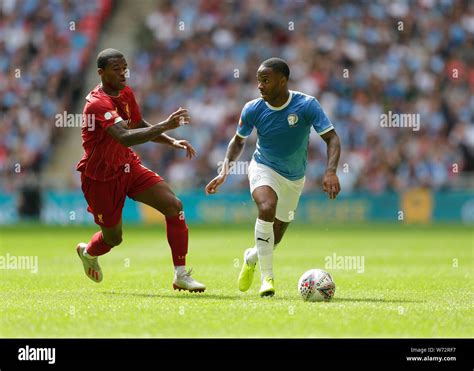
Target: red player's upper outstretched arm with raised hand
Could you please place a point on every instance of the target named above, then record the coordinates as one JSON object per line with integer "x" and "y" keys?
{"x": 130, "y": 137}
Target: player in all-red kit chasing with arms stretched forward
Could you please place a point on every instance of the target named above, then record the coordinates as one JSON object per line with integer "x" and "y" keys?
{"x": 110, "y": 170}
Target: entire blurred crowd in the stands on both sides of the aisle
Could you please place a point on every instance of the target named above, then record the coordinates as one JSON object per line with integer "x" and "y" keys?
{"x": 359, "y": 59}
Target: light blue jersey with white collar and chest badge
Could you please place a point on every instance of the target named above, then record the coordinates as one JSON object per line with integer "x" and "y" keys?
{"x": 283, "y": 132}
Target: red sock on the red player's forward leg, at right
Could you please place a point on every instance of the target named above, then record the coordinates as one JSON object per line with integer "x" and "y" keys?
{"x": 177, "y": 233}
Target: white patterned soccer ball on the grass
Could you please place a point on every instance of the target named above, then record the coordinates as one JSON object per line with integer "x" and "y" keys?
{"x": 316, "y": 285}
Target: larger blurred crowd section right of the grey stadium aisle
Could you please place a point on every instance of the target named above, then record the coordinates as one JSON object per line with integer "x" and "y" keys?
{"x": 359, "y": 59}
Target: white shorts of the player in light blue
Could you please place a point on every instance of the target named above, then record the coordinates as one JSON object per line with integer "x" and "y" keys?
{"x": 288, "y": 191}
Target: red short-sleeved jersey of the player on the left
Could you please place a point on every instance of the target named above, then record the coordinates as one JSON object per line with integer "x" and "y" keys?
{"x": 105, "y": 158}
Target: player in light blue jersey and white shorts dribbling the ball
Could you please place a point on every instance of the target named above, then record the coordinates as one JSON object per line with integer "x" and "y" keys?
{"x": 283, "y": 119}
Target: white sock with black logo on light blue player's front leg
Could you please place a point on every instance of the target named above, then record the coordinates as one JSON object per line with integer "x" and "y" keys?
{"x": 264, "y": 240}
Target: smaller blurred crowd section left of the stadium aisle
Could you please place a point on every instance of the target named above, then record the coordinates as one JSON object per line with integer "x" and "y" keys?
{"x": 44, "y": 48}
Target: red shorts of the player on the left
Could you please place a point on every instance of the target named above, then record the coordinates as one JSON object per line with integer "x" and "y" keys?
{"x": 106, "y": 199}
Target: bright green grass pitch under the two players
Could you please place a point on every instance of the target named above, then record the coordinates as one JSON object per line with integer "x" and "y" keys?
{"x": 417, "y": 282}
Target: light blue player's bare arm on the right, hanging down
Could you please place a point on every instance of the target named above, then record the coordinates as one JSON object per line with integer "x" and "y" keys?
{"x": 330, "y": 181}
